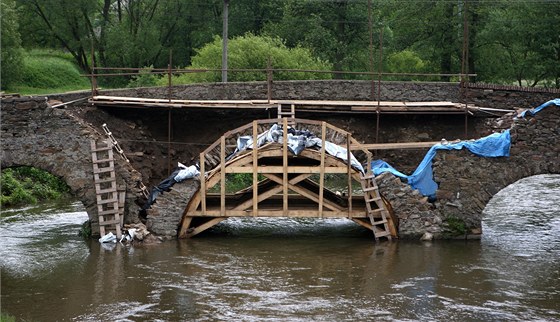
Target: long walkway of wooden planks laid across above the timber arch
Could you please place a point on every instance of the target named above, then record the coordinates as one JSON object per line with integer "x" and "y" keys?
{"x": 385, "y": 107}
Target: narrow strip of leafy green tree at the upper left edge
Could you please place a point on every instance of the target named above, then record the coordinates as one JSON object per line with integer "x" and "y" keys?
{"x": 10, "y": 47}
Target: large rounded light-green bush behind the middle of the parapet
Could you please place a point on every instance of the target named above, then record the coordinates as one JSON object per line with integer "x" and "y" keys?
{"x": 253, "y": 52}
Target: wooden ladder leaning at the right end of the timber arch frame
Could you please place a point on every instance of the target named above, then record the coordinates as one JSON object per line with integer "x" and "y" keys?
{"x": 379, "y": 226}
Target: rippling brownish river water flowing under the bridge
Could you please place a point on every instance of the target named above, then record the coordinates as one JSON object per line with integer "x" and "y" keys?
{"x": 296, "y": 270}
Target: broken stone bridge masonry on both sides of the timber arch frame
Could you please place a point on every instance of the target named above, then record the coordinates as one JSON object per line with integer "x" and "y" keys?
{"x": 36, "y": 134}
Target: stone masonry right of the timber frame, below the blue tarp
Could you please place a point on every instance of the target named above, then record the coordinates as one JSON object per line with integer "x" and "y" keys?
{"x": 467, "y": 182}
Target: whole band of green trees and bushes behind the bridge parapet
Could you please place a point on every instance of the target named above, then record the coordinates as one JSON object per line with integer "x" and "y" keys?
{"x": 509, "y": 41}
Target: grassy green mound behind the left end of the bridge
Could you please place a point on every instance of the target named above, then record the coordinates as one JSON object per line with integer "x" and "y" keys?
{"x": 48, "y": 71}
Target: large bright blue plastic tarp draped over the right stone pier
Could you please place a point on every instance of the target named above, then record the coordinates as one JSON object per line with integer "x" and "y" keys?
{"x": 495, "y": 145}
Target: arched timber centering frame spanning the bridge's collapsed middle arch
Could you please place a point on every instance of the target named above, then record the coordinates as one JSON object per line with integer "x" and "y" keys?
{"x": 282, "y": 183}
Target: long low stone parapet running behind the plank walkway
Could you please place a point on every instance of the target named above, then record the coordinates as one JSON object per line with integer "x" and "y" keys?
{"x": 333, "y": 90}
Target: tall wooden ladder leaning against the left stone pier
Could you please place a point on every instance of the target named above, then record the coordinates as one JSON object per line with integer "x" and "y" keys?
{"x": 109, "y": 199}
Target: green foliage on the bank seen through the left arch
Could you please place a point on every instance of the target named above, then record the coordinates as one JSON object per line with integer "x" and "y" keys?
{"x": 27, "y": 185}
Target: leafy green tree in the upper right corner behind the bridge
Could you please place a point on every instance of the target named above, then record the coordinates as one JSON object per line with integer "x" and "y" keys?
{"x": 522, "y": 39}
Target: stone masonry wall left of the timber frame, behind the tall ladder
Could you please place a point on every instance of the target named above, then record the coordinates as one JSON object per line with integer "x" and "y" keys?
{"x": 35, "y": 134}
